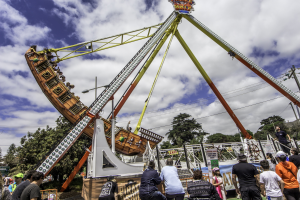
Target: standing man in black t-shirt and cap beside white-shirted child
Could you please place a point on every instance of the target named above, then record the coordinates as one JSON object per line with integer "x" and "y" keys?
{"x": 247, "y": 175}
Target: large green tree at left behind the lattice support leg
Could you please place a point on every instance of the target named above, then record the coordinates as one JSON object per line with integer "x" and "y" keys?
{"x": 36, "y": 145}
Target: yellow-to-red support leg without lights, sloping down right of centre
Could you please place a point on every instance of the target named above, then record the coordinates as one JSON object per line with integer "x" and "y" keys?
{"x": 212, "y": 86}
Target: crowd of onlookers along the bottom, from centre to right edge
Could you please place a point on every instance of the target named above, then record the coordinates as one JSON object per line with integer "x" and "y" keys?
{"x": 277, "y": 179}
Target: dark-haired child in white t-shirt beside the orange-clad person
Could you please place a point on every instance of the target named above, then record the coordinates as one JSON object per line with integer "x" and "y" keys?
{"x": 269, "y": 183}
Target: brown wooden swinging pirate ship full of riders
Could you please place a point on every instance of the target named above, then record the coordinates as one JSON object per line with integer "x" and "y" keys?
{"x": 51, "y": 81}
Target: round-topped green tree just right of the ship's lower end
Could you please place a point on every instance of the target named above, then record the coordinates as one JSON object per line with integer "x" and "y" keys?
{"x": 184, "y": 129}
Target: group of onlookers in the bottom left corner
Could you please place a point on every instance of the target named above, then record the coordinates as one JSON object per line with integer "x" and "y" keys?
{"x": 23, "y": 187}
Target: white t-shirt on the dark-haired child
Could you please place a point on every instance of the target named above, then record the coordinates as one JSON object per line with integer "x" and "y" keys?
{"x": 270, "y": 179}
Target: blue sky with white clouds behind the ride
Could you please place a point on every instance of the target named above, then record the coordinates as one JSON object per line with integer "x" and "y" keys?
{"x": 264, "y": 31}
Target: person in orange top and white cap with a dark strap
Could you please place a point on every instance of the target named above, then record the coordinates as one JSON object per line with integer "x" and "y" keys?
{"x": 287, "y": 171}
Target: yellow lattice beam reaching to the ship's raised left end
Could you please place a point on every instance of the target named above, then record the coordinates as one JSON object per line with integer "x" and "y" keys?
{"x": 105, "y": 43}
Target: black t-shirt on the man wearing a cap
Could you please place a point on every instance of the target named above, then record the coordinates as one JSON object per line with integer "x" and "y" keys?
{"x": 245, "y": 172}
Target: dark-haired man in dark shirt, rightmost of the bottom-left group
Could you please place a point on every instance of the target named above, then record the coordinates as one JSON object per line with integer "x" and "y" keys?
{"x": 32, "y": 191}
